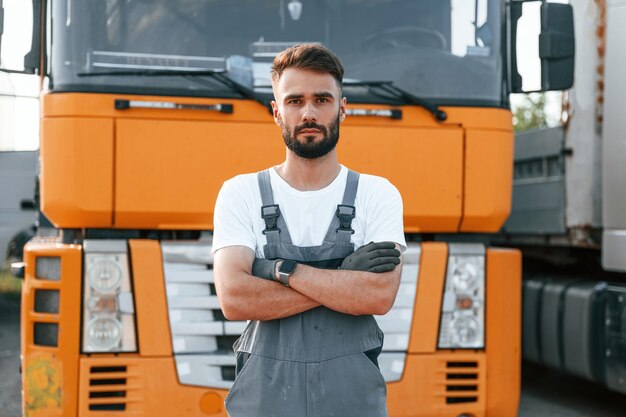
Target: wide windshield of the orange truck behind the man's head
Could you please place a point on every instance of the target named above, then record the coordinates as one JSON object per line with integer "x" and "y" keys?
{"x": 447, "y": 51}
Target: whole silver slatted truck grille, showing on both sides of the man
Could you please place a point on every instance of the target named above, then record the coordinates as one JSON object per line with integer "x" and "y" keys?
{"x": 202, "y": 338}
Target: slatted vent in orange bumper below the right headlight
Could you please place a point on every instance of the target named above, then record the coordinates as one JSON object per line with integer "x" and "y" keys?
{"x": 461, "y": 382}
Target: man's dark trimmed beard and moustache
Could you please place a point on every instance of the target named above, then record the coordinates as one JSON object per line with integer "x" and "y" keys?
{"x": 308, "y": 148}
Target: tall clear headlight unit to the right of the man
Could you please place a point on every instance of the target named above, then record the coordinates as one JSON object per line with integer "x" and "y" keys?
{"x": 463, "y": 309}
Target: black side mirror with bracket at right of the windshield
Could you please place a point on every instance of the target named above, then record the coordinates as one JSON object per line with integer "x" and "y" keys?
{"x": 546, "y": 61}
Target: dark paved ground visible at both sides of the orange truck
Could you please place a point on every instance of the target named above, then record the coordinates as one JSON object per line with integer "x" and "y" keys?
{"x": 544, "y": 393}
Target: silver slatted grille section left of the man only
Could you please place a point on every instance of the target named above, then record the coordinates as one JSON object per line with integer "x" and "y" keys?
{"x": 202, "y": 338}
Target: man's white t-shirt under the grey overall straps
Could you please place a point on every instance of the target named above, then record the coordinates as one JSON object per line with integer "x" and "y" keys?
{"x": 237, "y": 220}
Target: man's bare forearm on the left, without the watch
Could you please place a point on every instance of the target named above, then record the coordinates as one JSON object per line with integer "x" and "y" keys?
{"x": 246, "y": 297}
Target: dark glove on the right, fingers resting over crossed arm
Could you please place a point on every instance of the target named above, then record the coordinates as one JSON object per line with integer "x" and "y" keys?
{"x": 373, "y": 257}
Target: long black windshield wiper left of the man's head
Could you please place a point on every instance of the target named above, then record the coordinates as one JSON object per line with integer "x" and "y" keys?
{"x": 218, "y": 75}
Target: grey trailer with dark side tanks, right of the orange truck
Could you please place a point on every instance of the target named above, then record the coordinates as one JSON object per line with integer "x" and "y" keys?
{"x": 569, "y": 212}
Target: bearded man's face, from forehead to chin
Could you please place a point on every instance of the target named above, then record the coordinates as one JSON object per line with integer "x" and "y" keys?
{"x": 308, "y": 108}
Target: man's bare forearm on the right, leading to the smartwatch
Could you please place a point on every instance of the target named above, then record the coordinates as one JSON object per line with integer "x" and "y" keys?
{"x": 350, "y": 292}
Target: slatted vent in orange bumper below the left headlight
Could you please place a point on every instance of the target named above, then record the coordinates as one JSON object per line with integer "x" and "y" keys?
{"x": 107, "y": 388}
